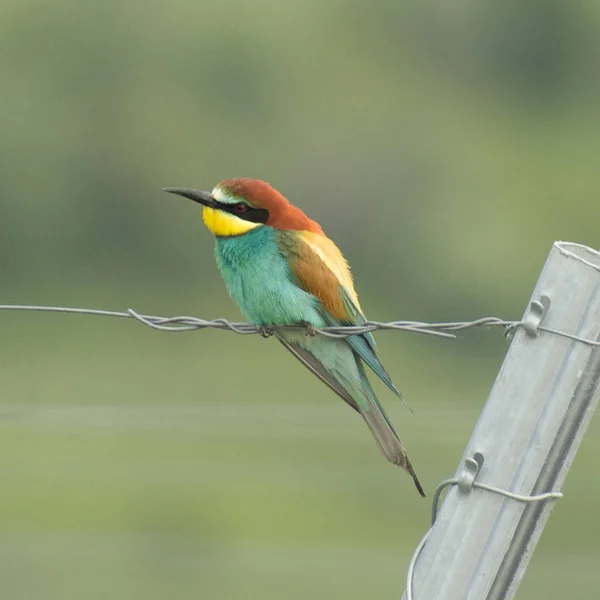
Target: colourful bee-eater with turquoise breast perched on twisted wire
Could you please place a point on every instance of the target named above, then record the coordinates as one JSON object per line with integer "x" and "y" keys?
{"x": 281, "y": 269}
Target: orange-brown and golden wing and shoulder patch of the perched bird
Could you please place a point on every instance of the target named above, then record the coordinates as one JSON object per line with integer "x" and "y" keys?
{"x": 321, "y": 270}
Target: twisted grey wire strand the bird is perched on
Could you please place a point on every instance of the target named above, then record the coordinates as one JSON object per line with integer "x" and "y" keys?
{"x": 189, "y": 323}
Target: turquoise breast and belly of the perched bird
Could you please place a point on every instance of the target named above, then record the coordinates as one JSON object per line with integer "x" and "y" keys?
{"x": 259, "y": 279}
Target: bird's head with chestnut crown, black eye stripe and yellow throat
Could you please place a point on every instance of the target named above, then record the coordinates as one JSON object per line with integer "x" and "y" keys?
{"x": 237, "y": 206}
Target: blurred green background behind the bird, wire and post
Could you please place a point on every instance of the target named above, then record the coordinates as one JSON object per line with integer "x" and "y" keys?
{"x": 443, "y": 146}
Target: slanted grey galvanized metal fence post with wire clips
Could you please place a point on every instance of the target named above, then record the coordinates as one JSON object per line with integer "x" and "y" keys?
{"x": 528, "y": 433}
